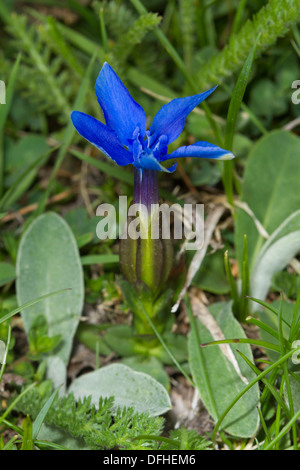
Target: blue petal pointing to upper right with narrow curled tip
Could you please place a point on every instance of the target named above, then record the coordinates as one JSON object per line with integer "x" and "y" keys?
{"x": 170, "y": 119}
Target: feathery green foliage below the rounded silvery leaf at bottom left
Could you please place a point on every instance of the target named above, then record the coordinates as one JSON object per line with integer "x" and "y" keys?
{"x": 100, "y": 428}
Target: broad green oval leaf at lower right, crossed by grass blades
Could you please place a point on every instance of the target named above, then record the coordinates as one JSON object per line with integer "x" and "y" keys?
{"x": 217, "y": 378}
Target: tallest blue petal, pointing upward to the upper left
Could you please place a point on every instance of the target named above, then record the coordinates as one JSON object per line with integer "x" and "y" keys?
{"x": 121, "y": 112}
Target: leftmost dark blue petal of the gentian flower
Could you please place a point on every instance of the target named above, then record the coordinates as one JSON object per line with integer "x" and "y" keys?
{"x": 102, "y": 137}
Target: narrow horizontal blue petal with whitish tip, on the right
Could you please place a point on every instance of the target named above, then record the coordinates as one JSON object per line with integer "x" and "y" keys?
{"x": 200, "y": 150}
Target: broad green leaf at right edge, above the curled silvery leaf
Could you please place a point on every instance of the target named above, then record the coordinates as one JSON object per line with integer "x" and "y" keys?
{"x": 270, "y": 188}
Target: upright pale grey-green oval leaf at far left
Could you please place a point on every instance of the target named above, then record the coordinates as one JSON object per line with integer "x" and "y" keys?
{"x": 48, "y": 260}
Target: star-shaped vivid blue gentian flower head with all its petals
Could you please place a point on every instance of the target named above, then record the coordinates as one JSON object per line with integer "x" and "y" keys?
{"x": 125, "y": 139}
